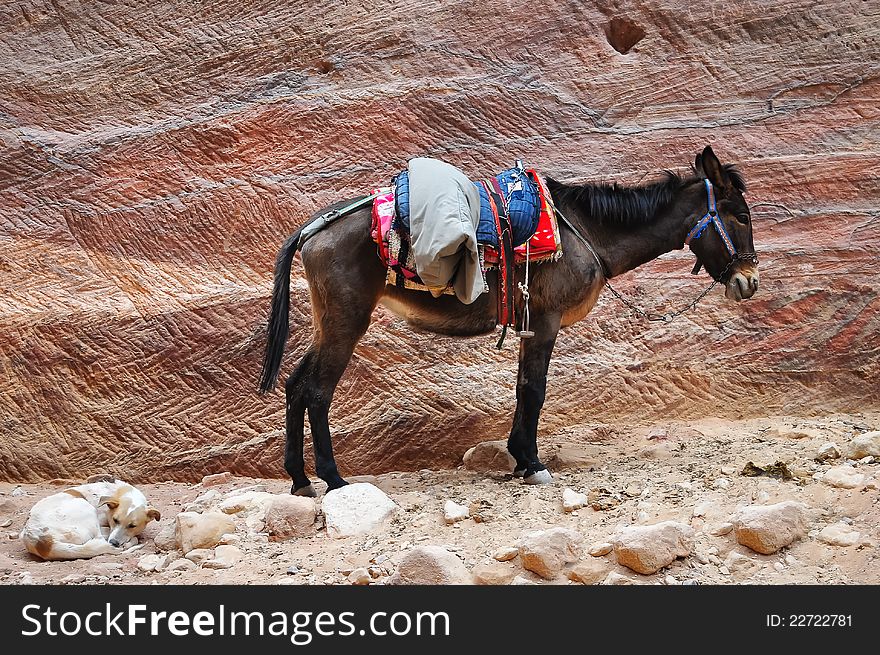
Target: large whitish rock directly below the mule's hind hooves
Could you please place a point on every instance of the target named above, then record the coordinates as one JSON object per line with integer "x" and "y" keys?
{"x": 356, "y": 509}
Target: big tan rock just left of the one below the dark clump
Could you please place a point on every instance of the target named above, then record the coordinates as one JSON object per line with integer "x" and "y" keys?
{"x": 648, "y": 548}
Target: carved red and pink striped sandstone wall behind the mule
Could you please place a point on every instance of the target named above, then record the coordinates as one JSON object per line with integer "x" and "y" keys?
{"x": 153, "y": 156}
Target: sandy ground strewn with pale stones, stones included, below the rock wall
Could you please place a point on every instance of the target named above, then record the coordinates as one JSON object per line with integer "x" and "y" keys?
{"x": 694, "y": 502}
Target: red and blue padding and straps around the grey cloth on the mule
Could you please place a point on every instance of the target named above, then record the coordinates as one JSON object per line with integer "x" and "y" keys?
{"x": 517, "y": 224}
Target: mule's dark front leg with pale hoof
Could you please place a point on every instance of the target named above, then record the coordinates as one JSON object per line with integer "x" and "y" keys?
{"x": 531, "y": 385}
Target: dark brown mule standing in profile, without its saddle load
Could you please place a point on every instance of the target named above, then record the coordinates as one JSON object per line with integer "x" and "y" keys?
{"x": 605, "y": 230}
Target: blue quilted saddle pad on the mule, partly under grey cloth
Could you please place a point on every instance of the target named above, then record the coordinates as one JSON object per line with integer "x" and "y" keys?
{"x": 520, "y": 194}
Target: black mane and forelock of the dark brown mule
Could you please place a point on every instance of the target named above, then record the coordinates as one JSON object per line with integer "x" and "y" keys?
{"x": 629, "y": 205}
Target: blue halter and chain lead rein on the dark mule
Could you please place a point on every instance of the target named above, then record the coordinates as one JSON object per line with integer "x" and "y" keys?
{"x": 710, "y": 217}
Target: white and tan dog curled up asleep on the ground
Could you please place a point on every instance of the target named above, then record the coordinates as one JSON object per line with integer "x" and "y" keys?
{"x": 86, "y": 521}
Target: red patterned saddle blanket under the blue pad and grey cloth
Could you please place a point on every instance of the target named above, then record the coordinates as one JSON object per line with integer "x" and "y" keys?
{"x": 395, "y": 253}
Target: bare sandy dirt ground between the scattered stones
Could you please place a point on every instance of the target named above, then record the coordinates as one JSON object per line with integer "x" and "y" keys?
{"x": 688, "y": 472}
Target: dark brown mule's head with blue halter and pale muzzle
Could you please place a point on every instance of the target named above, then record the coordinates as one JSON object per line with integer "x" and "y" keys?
{"x": 721, "y": 234}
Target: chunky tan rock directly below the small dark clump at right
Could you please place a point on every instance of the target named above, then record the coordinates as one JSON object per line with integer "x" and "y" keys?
{"x": 767, "y": 528}
